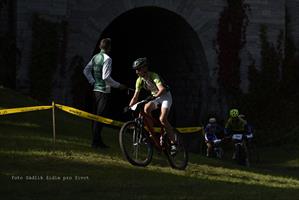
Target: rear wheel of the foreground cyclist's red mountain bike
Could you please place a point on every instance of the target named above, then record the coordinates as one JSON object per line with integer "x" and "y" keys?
{"x": 179, "y": 160}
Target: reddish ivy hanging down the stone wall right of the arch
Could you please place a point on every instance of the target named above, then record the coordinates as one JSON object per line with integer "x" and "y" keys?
{"x": 231, "y": 39}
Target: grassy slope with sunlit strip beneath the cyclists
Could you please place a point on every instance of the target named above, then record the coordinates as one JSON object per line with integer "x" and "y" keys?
{"x": 26, "y": 149}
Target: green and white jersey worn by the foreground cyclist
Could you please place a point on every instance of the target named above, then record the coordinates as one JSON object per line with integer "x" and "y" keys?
{"x": 150, "y": 84}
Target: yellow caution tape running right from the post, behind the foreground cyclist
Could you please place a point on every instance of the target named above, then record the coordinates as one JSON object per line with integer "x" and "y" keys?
{"x": 104, "y": 120}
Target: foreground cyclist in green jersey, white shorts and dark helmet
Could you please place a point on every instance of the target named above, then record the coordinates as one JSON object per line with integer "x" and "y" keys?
{"x": 152, "y": 82}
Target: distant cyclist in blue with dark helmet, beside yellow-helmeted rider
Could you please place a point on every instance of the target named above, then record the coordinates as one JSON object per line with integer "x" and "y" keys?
{"x": 211, "y": 139}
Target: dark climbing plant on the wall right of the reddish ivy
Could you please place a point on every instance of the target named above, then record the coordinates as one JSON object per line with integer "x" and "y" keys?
{"x": 263, "y": 98}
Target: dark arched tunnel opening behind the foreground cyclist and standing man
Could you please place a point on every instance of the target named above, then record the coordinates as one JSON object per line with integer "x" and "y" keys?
{"x": 174, "y": 52}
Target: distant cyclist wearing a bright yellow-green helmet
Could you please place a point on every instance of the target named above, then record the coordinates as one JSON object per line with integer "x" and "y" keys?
{"x": 235, "y": 125}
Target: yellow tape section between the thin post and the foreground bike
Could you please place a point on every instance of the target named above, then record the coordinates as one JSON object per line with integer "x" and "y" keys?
{"x": 87, "y": 115}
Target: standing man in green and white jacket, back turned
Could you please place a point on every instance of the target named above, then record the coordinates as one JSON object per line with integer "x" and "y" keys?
{"x": 98, "y": 73}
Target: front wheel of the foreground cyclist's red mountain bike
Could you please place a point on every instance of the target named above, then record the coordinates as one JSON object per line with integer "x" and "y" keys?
{"x": 135, "y": 145}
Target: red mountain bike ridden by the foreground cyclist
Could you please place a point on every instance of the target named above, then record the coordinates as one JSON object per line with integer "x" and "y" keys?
{"x": 137, "y": 141}
